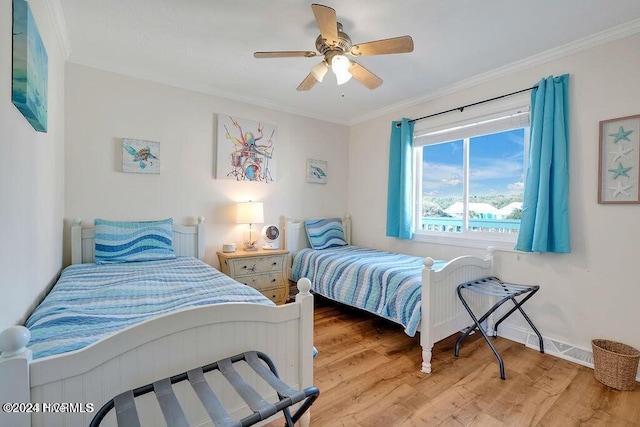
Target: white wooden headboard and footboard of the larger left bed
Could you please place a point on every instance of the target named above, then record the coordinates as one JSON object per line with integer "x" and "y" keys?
{"x": 156, "y": 349}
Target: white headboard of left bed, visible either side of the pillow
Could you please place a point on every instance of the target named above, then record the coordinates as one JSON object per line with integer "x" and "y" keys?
{"x": 188, "y": 240}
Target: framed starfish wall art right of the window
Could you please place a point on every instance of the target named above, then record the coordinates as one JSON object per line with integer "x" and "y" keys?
{"x": 619, "y": 160}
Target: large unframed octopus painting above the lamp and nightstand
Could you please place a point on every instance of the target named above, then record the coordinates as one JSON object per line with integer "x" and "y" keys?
{"x": 245, "y": 150}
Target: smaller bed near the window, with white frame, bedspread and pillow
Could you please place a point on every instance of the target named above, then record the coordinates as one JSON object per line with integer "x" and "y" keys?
{"x": 417, "y": 293}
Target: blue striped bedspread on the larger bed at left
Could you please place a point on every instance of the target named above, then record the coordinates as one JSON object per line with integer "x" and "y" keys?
{"x": 90, "y": 302}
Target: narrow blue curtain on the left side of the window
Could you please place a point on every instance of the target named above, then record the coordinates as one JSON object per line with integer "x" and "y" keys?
{"x": 400, "y": 188}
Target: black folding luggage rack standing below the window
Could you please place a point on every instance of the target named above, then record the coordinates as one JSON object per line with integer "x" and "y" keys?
{"x": 494, "y": 287}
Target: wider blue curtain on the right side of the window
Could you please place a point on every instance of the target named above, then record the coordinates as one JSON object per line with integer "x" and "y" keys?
{"x": 544, "y": 226}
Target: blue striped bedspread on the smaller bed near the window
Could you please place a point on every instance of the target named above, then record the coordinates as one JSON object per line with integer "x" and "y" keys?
{"x": 384, "y": 283}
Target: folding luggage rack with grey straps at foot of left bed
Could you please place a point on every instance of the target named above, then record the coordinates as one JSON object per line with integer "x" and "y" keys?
{"x": 127, "y": 415}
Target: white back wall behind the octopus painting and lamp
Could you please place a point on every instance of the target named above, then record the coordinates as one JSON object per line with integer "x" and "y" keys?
{"x": 102, "y": 108}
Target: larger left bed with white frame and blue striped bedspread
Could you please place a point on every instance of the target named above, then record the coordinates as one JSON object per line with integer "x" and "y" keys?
{"x": 156, "y": 318}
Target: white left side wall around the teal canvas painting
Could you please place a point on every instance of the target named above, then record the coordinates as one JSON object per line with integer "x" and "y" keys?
{"x": 31, "y": 179}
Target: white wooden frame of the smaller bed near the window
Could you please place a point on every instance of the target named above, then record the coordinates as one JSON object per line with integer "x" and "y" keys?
{"x": 442, "y": 312}
